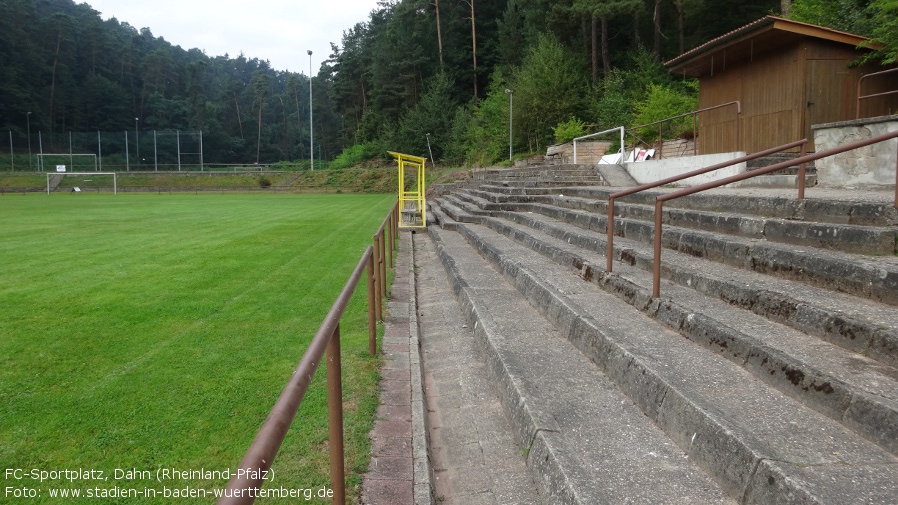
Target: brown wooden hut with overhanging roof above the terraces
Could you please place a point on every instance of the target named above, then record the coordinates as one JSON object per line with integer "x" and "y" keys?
{"x": 786, "y": 76}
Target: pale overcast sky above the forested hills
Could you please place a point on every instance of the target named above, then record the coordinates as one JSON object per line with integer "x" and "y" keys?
{"x": 280, "y": 31}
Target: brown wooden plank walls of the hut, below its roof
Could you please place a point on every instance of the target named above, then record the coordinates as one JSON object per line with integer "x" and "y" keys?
{"x": 784, "y": 92}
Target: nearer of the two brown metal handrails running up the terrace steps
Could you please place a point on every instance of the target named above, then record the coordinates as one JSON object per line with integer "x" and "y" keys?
{"x": 659, "y": 200}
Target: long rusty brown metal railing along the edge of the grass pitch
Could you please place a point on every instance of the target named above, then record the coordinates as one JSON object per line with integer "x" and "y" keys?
{"x": 244, "y": 485}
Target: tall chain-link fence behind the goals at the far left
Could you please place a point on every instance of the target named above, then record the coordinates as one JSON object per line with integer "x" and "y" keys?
{"x": 112, "y": 151}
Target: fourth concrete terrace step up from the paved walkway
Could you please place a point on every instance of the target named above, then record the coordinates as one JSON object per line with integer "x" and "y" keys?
{"x": 855, "y": 324}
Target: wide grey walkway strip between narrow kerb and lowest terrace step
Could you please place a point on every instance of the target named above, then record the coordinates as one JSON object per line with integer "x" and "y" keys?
{"x": 473, "y": 449}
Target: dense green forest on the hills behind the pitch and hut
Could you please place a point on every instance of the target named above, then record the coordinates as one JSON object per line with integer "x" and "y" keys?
{"x": 416, "y": 71}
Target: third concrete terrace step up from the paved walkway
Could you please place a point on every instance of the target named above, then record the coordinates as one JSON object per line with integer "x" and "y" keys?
{"x": 846, "y": 386}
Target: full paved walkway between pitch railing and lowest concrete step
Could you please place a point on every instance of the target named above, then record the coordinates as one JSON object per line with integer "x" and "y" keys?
{"x": 473, "y": 458}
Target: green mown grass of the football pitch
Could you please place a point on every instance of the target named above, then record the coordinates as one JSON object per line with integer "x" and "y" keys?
{"x": 156, "y": 331}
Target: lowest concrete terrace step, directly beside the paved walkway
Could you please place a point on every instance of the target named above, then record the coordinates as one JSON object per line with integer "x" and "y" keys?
{"x": 556, "y": 400}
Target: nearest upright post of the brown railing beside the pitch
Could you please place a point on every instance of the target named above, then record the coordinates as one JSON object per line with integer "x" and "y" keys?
{"x": 335, "y": 418}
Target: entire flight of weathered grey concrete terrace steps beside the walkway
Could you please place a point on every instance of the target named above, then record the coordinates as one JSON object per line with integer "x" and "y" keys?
{"x": 766, "y": 373}
